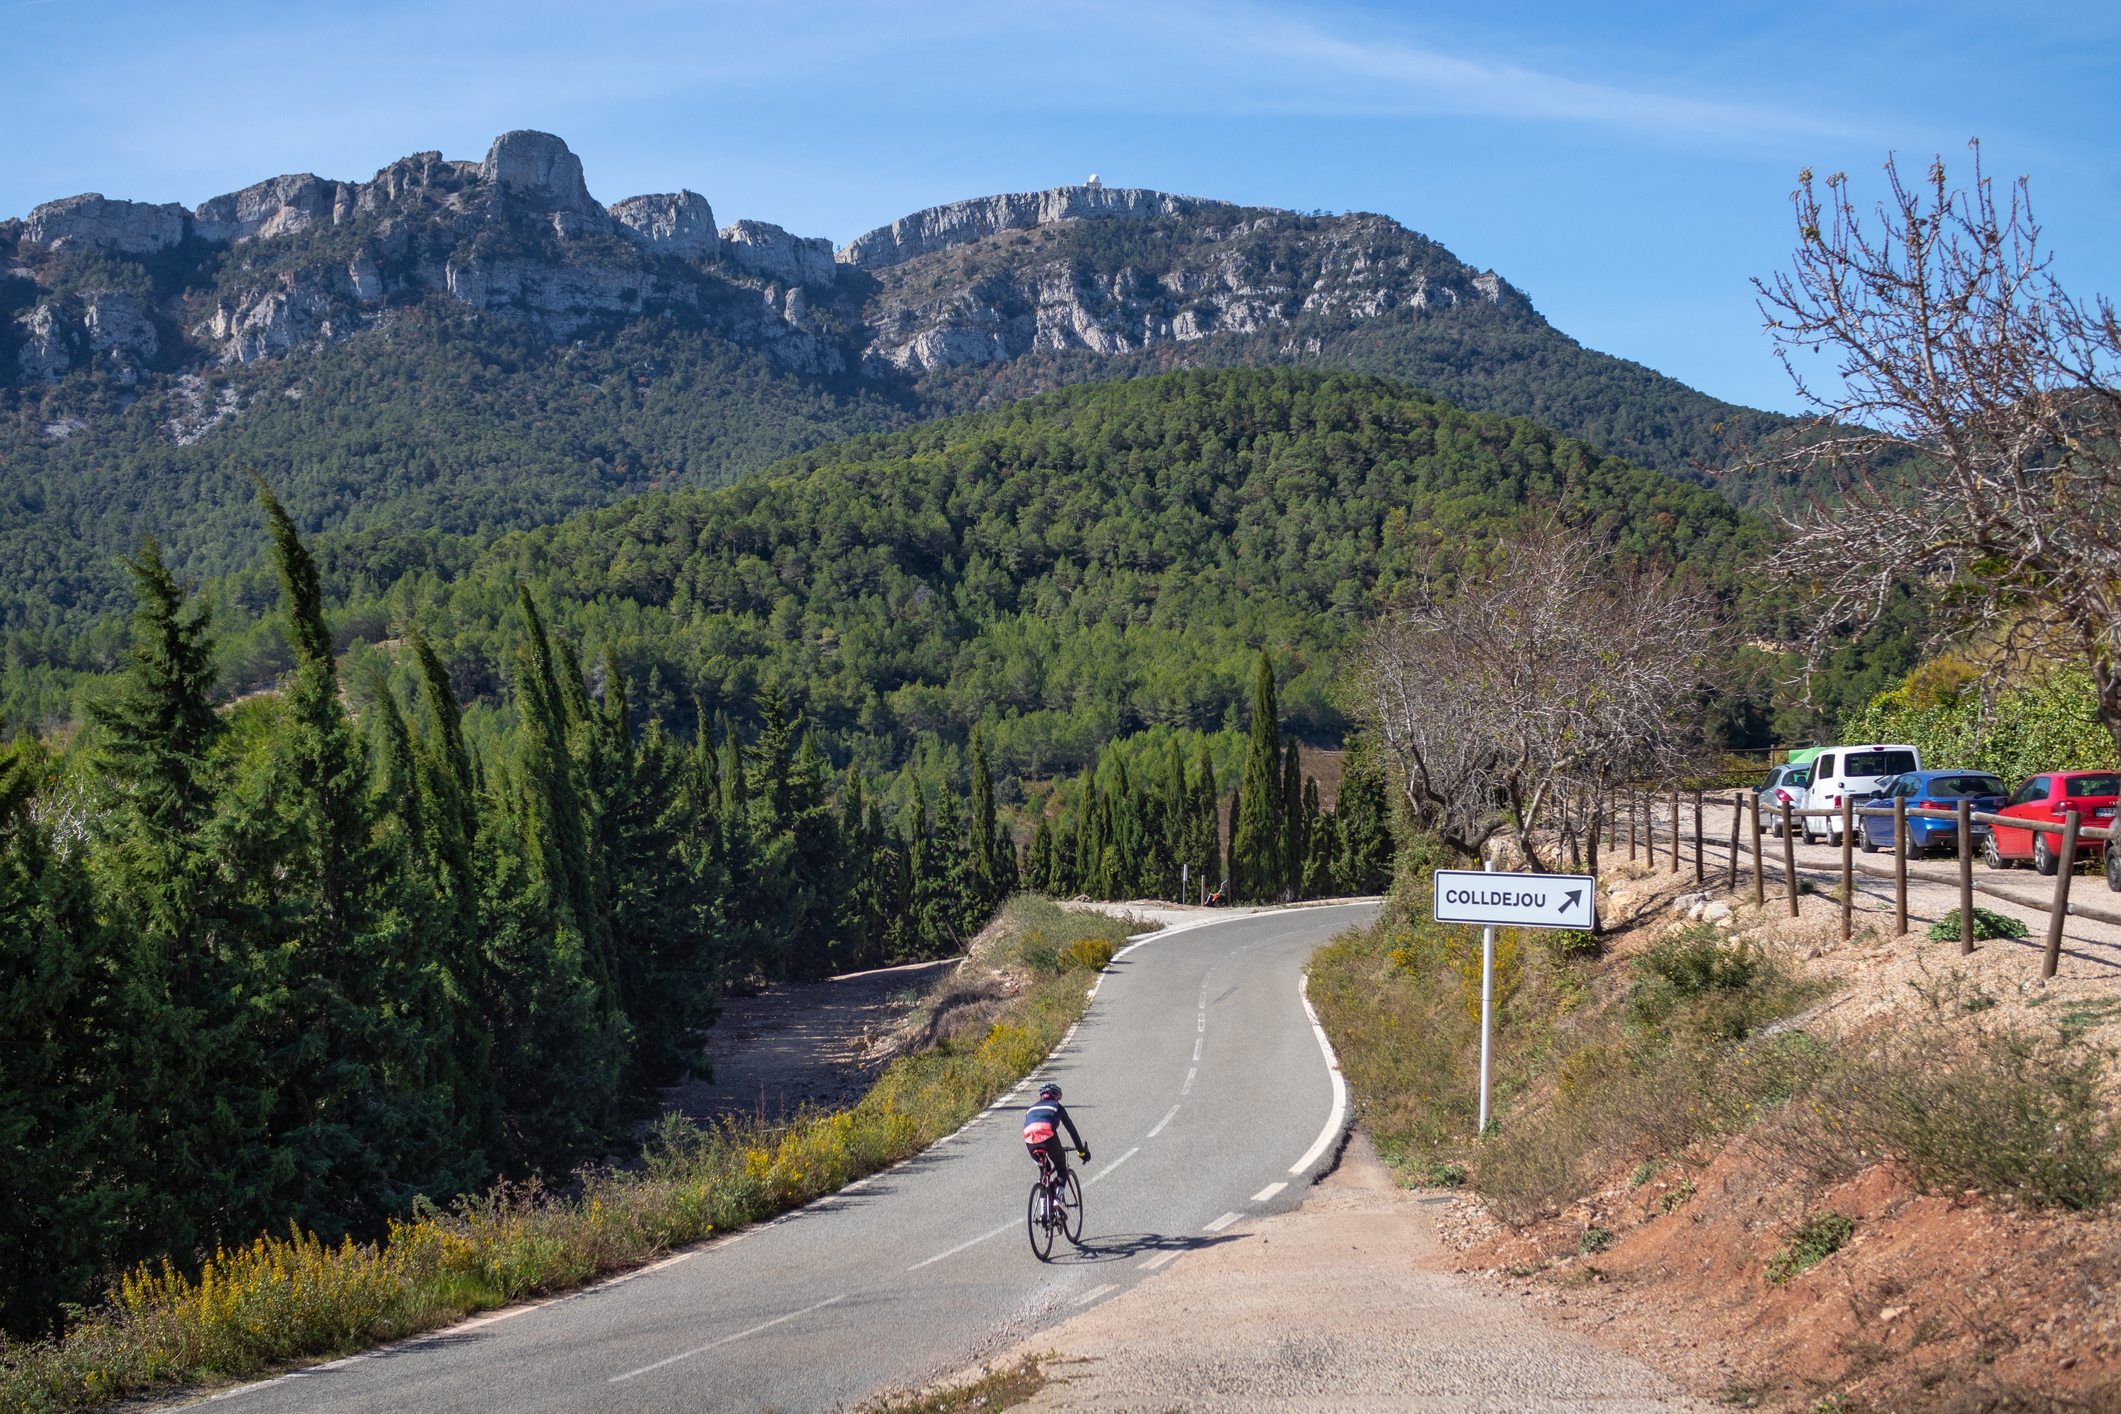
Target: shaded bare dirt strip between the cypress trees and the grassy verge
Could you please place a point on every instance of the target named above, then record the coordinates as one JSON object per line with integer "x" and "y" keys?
{"x": 796, "y": 1046}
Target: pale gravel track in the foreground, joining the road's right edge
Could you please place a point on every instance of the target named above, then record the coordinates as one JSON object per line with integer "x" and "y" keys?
{"x": 1339, "y": 1305}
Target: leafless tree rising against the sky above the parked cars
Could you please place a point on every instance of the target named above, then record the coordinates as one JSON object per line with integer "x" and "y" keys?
{"x": 1971, "y": 423}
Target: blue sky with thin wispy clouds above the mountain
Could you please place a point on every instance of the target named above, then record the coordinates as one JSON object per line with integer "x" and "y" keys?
{"x": 1628, "y": 166}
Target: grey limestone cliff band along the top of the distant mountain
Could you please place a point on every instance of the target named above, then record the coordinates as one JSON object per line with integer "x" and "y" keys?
{"x": 304, "y": 260}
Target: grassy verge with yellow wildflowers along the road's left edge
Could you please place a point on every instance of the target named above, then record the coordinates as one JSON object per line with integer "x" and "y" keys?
{"x": 296, "y": 1298}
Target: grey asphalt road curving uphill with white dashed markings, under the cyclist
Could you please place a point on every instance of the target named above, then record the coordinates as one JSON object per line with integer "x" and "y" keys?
{"x": 1199, "y": 1084}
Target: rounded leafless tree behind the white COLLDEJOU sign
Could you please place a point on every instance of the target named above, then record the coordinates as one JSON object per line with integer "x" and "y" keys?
{"x": 1545, "y": 673}
